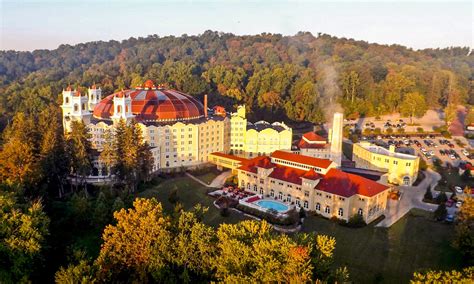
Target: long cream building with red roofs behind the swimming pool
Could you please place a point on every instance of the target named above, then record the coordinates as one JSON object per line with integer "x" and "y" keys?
{"x": 313, "y": 184}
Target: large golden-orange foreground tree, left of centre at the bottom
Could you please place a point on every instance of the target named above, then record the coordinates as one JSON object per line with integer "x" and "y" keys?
{"x": 138, "y": 244}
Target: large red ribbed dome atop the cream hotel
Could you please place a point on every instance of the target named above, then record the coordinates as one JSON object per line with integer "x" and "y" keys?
{"x": 151, "y": 104}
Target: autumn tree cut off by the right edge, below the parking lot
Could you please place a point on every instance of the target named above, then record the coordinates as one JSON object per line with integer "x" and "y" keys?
{"x": 464, "y": 236}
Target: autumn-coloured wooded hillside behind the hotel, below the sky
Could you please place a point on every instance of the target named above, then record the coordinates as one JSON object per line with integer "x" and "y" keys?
{"x": 294, "y": 78}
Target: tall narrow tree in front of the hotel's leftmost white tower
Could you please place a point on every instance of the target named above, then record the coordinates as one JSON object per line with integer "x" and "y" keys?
{"x": 79, "y": 151}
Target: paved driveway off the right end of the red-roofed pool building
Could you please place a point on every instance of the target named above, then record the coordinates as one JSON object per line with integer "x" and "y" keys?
{"x": 412, "y": 197}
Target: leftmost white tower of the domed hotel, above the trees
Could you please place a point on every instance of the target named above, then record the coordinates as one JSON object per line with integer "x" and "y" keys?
{"x": 75, "y": 108}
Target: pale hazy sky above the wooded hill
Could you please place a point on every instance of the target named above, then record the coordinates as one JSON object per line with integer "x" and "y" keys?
{"x": 39, "y": 24}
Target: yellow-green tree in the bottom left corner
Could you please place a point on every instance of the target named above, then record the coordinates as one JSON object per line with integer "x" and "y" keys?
{"x": 23, "y": 232}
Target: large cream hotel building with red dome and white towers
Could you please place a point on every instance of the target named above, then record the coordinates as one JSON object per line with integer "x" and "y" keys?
{"x": 178, "y": 127}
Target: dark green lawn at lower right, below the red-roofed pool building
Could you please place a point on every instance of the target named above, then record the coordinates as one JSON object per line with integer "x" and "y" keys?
{"x": 390, "y": 255}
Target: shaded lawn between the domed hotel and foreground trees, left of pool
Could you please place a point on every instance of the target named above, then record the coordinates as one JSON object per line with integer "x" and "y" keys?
{"x": 190, "y": 193}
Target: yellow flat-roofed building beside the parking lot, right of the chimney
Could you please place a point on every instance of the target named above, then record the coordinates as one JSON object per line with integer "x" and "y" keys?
{"x": 401, "y": 169}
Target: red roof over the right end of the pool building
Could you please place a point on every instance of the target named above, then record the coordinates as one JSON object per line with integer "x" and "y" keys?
{"x": 345, "y": 184}
